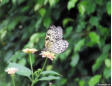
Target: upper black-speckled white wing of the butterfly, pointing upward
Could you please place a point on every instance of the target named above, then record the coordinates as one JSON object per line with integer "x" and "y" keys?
{"x": 53, "y": 34}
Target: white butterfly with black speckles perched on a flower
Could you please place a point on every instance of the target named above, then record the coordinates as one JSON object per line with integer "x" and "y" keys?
{"x": 54, "y": 41}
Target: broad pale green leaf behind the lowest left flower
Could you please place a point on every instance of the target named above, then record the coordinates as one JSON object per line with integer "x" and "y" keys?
{"x": 22, "y": 70}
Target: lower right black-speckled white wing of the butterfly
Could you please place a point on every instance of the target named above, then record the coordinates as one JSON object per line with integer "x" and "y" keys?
{"x": 59, "y": 46}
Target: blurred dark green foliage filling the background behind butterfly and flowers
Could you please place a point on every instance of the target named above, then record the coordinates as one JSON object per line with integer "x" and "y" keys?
{"x": 86, "y": 25}
